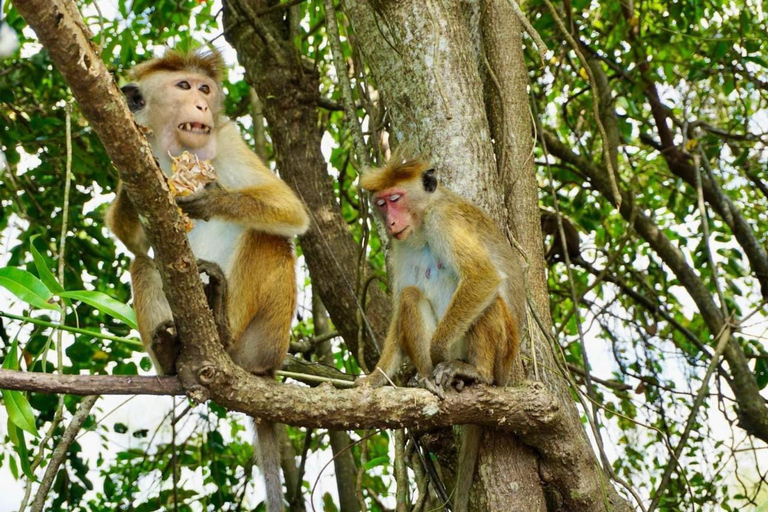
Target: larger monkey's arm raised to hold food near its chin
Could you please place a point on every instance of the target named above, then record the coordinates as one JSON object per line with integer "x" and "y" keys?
{"x": 270, "y": 207}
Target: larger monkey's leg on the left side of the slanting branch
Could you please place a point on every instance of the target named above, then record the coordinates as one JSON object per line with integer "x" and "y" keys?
{"x": 153, "y": 315}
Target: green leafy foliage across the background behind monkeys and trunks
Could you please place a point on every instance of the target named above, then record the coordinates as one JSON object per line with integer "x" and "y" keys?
{"x": 647, "y": 341}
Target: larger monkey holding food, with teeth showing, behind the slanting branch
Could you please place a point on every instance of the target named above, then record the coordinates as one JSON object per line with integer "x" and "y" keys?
{"x": 244, "y": 223}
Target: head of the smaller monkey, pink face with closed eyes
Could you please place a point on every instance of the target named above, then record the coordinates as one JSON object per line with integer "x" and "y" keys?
{"x": 401, "y": 191}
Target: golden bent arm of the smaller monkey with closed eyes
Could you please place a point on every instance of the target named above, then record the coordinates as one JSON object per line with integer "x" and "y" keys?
{"x": 479, "y": 283}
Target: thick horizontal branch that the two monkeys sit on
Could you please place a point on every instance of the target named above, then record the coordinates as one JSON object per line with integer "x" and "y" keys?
{"x": 529, "y": 411}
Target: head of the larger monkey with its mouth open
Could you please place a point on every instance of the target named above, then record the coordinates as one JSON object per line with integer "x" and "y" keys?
{"x": 179, "y": 98}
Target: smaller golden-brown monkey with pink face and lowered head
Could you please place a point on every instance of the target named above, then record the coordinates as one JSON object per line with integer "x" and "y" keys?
{"x": 458, "y": 290}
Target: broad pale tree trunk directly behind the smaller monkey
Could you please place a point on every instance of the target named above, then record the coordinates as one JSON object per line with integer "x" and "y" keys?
{"x": 454, "y": 80}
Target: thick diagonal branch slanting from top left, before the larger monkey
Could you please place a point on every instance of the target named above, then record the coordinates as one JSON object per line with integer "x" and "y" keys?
{"x": 61, "y": 30}
